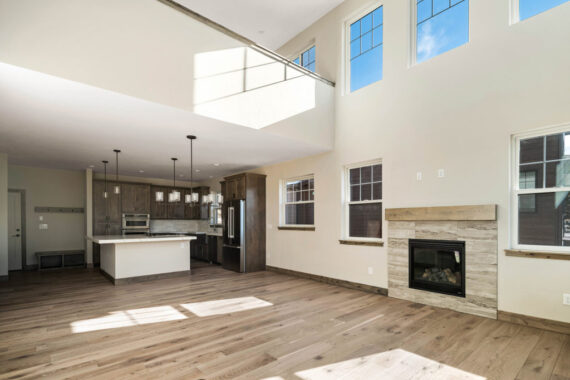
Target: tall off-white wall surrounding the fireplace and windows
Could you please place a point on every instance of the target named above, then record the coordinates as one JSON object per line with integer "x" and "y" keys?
{"x": 456, "y": 111}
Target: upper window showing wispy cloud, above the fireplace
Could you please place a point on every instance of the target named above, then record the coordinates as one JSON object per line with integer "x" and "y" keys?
{"x": 441, "y": 25}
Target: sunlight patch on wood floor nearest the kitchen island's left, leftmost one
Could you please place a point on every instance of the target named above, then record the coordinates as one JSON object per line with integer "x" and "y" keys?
{"x": 128, "y": 318}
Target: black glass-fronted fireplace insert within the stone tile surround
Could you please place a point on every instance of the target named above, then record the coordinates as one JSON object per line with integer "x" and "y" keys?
{"x": 437, "y": 266}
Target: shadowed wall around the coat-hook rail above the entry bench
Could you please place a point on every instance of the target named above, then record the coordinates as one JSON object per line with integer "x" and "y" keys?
{"x": 53, "y": 188}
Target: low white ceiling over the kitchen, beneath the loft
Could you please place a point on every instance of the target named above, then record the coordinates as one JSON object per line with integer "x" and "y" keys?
{"x": 52, "y": 122}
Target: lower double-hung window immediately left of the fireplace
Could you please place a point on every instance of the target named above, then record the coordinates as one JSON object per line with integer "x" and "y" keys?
{"x": 363, "y": 204}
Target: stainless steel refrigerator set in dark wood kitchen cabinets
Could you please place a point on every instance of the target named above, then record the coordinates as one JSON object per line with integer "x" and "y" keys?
{"x": 234, "y": 235}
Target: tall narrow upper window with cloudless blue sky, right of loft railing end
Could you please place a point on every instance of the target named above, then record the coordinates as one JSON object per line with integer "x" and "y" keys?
{"x": 366, "y": 37}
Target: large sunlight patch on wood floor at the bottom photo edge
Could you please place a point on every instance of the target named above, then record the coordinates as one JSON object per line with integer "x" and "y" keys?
{"x": 396, "y": 364}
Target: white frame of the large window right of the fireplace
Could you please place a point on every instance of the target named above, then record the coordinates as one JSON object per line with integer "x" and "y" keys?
{"x": 516, "y": 191}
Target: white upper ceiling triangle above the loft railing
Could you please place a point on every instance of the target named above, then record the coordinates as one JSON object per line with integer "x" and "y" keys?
{"x": 268, "y": 23}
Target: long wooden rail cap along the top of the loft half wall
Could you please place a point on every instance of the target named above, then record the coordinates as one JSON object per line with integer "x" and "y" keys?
{"x": 263, "y": 50}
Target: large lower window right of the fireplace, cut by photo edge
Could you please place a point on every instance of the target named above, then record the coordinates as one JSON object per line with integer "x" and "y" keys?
{"x": 541, "y": 202}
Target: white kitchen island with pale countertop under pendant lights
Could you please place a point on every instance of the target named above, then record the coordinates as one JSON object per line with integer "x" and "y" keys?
{"x": 126, "y": 259}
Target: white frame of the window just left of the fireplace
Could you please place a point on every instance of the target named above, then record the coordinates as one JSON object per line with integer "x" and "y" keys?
{"x": 346, "y": 202}
